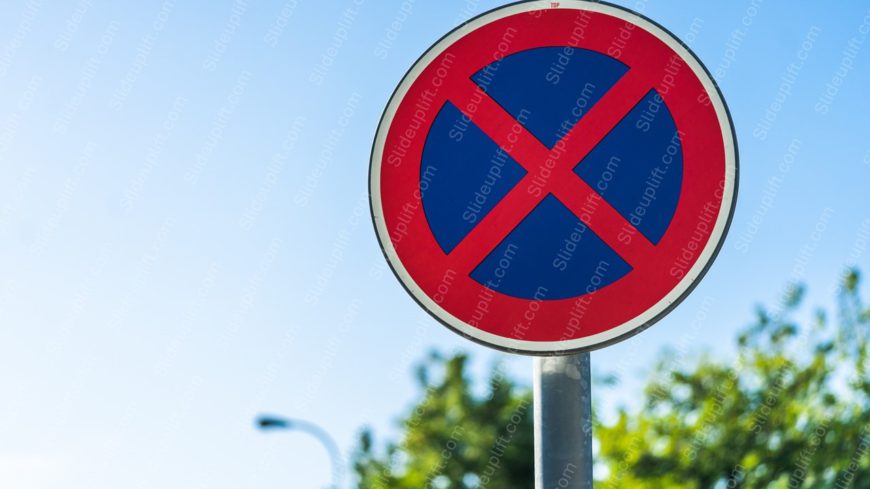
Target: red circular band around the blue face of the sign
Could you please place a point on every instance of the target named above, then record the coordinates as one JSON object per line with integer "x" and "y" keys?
{"x": 704, "y": 171}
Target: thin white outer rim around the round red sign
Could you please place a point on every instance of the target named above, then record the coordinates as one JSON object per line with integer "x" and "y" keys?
{"x": 639, "y": 322}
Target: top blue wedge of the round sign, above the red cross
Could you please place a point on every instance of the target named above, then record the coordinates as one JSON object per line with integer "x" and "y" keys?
{"x": 549, "y": 89}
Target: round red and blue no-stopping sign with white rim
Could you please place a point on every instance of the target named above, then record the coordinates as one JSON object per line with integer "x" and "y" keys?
{"x": 553, "y": 176}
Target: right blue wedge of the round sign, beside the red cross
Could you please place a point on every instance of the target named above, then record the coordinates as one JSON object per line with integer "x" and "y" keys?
{"x": 638, "y": 167}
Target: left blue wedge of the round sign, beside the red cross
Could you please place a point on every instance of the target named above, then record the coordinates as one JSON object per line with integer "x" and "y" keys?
{"x": 463, "y": 175}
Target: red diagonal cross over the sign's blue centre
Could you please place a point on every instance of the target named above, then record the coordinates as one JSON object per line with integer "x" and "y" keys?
{"x": 563, "y": 183}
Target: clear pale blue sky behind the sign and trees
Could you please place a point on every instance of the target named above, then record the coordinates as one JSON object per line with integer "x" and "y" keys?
{"x": 185, "y": 240}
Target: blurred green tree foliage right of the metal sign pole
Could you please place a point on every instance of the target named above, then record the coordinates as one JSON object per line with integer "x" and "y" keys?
{"x": 791, "y": 410}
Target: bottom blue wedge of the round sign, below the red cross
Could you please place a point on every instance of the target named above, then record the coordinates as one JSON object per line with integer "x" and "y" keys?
{"x": 550, "y": 255}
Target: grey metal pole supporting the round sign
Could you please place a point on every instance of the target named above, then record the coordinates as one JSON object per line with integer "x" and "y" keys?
{"x": 563, "y": 422}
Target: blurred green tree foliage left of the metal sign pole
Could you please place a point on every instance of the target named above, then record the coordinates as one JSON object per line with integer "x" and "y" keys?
{"x": 455, "y": 439}
